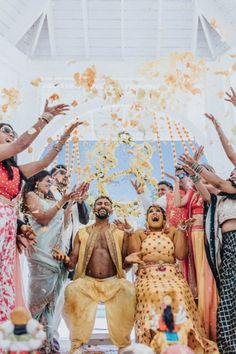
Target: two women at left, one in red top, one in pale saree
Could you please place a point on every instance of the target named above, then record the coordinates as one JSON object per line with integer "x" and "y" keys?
{"x": 44, "y": 214}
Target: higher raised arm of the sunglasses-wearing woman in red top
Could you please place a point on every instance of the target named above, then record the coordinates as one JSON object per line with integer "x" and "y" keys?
{"x": 8, "y": 150}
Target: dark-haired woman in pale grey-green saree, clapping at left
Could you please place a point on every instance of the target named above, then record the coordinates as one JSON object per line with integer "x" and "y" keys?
{"x": 46, "y": 275}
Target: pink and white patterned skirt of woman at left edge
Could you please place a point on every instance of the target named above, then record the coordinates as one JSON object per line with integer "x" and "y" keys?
{"x": 11, "y": 292}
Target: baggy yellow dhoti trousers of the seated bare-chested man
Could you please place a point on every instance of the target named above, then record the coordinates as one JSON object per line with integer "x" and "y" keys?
{"x": 81, "y": 299}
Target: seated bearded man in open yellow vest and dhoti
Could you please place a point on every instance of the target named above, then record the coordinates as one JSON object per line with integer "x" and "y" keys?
{"x": 98, "y": 255}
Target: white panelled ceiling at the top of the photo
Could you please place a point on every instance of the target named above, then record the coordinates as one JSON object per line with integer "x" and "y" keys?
{"x": 118, "y": 29}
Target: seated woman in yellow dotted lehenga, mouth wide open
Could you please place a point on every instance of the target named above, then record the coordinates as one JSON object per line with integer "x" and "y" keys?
{"x": 159, "y": 280}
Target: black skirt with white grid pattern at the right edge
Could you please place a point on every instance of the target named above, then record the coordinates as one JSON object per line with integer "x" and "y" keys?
{"x": 226, "y": 316}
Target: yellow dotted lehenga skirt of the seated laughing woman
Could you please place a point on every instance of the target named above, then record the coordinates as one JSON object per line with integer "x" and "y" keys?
{"x": 153, "y": 283}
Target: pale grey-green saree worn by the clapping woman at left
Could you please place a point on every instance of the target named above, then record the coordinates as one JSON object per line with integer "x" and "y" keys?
{"x": 46, "y": 275}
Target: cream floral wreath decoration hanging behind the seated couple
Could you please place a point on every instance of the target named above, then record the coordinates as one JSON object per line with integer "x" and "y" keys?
{"x": 103, "y": 157}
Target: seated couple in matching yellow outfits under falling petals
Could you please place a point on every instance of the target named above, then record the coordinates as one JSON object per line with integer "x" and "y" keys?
{"x": 162, "y": 308}
